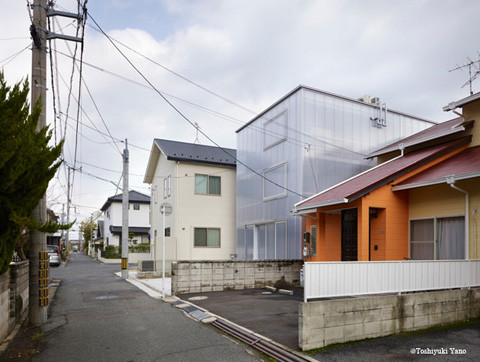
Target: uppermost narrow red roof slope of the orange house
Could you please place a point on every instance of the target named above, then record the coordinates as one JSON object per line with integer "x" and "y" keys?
{"x": 439, "y": 130}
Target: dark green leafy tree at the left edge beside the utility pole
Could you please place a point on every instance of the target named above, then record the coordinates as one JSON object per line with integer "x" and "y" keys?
{"x": 27, "y": 164}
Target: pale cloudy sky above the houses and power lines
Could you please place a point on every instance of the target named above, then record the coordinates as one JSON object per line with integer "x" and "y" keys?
{"x": 222, "y": 62}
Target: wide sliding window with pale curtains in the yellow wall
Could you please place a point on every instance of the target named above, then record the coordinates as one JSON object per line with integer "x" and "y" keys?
{"x": 441, "y": 238}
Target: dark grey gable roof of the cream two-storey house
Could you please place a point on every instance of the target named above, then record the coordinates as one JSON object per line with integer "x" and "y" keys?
{"x": 189, "y": 152}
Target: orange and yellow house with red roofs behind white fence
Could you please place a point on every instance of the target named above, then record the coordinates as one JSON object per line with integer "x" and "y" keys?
{"x": 420, "y": 203}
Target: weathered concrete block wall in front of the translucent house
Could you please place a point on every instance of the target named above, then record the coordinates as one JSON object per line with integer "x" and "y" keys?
{"x": 209, "y": 276}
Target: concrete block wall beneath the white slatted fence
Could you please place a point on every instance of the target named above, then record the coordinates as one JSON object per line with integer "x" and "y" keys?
{"x": 326, "y": 322}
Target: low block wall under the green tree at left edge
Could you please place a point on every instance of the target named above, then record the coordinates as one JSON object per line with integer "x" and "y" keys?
{"x": 14, "y": 297}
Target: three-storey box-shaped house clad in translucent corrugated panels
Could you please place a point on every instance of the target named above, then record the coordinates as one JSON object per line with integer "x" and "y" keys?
{"x": 304, "y": 143}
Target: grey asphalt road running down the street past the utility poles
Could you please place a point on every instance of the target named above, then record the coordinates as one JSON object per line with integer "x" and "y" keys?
{"x": 97, "y": 316}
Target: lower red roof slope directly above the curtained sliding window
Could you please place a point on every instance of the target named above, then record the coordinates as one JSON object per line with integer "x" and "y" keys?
{"x": 463, "y": 165}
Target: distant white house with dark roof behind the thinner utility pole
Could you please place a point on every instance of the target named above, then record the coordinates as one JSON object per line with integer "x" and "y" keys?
{"x": 138, "y": 218}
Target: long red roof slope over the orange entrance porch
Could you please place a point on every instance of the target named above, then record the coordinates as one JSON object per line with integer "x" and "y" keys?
{"x": 380, "y": 175}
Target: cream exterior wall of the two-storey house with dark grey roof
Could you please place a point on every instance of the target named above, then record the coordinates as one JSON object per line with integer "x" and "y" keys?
{"x": 190, "y": 211}
